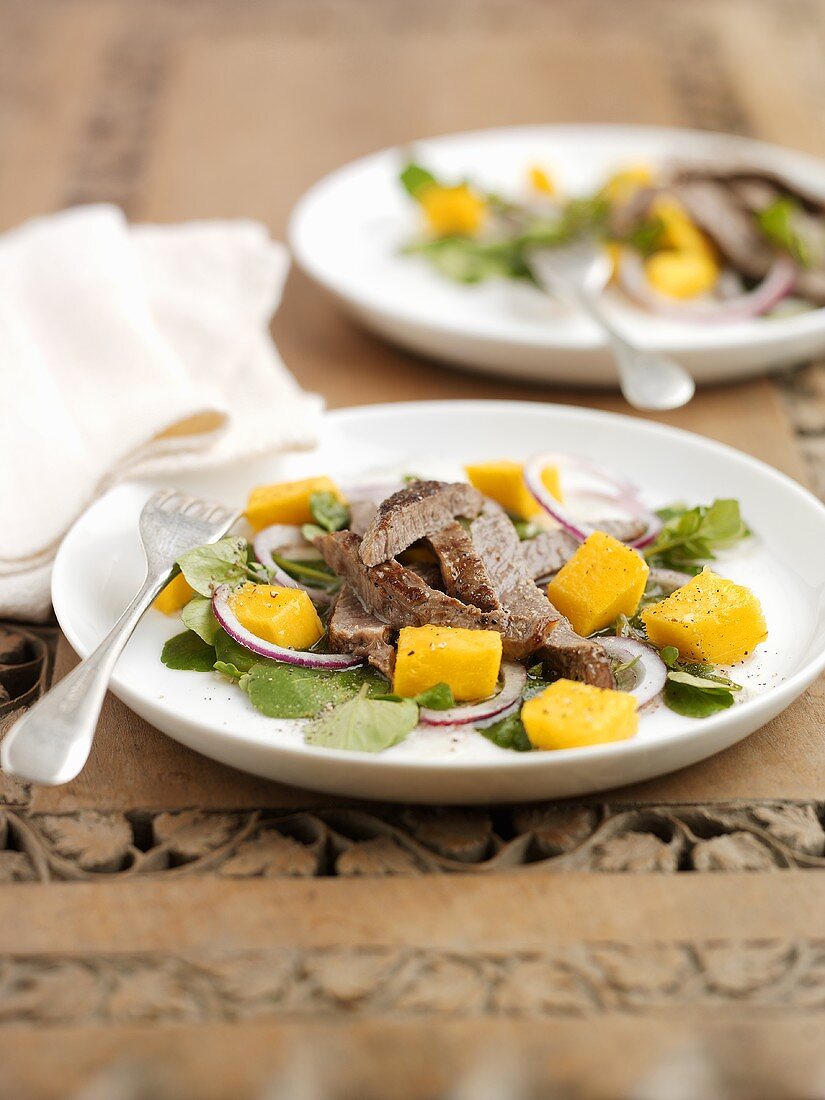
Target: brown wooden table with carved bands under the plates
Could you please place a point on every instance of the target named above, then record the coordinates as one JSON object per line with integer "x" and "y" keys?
{"x": 173, "y": 929}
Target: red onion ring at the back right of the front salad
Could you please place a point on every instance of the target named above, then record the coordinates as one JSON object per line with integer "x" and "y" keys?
{"x": 599, "y": 485}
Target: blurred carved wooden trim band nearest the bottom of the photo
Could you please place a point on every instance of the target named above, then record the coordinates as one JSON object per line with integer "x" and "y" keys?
{"x": 582, "y": 980}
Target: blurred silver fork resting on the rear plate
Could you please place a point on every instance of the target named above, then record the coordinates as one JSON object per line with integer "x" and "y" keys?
{"x": 579, "y": 272}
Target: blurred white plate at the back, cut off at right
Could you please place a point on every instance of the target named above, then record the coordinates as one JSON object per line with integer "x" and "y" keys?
{"x": 347, "y": 233}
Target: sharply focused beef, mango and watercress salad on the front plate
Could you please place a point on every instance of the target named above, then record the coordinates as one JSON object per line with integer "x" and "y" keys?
{"x": 540, "y": 606}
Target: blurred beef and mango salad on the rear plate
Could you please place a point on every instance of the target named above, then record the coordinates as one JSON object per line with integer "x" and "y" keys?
{"x": 695, "y": 243}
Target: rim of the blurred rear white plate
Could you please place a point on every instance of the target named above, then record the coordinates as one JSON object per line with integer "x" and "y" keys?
{"x": 728, "y": 337}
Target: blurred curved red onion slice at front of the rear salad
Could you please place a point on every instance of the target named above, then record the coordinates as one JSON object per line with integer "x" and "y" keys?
{"x": 777, "y": 285}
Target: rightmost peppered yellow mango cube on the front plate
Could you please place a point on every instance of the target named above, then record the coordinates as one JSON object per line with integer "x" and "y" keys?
{"x": 711, "y": 619}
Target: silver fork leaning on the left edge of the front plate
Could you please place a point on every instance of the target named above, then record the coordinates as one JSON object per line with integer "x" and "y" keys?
{"x": 52, "y": 742}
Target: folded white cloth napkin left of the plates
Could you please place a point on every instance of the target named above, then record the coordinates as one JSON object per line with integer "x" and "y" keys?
{"x": 129, "y": 351}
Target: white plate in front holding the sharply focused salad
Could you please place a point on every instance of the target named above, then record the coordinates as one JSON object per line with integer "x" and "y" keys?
{"x": 100, "y": 567}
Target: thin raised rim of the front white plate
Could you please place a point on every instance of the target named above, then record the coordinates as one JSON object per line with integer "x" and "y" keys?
{"x": 784, "y": 694}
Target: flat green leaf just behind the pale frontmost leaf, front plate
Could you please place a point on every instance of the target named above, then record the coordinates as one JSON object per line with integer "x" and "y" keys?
{"x": 289, "y": 691}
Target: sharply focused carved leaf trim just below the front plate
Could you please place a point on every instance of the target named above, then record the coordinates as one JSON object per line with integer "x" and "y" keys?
{"x": 90, "y": 845}
